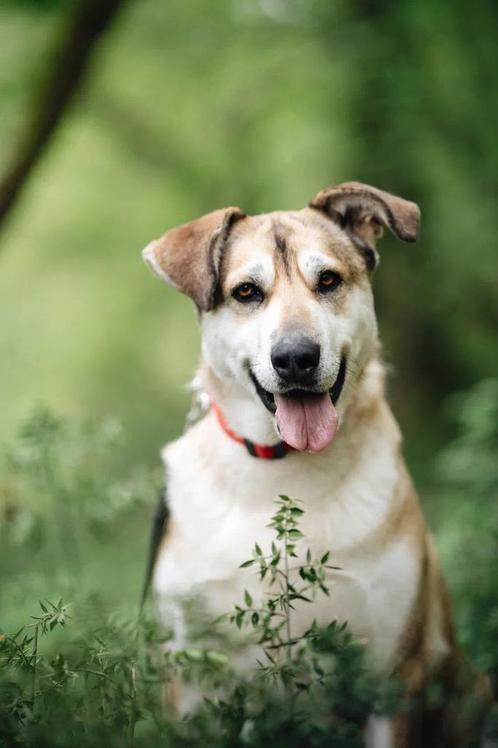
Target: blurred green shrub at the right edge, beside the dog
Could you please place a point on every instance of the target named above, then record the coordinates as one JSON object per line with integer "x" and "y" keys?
{"x": 468, "y": 513}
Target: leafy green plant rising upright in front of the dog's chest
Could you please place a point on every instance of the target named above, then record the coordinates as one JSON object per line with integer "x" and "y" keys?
{"x": 316, "y": 684}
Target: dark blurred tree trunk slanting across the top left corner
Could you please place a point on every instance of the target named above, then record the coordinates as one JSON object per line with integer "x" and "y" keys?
{"x": 70, "y": 59}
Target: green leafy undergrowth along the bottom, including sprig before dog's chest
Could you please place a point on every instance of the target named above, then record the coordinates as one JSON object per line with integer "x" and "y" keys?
{"x": 106, "y": 685}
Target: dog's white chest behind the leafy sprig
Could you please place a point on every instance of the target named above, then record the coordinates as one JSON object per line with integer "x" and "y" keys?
{"x": 215, "y": 525}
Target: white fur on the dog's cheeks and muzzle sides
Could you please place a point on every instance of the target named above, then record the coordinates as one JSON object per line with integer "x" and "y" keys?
{"x": 230, "y": 344}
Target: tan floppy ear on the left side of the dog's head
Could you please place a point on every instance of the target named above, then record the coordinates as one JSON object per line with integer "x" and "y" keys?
{"x": 188, "y": 257}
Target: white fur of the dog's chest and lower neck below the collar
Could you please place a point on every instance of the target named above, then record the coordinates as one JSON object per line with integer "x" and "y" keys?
{"x": 223, "y": 506}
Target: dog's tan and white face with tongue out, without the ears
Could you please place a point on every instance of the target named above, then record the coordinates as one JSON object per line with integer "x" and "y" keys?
{"x": 294, "y": 302}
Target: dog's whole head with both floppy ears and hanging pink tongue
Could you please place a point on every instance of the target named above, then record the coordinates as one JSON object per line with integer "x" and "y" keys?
{"x": 285, "y": 298}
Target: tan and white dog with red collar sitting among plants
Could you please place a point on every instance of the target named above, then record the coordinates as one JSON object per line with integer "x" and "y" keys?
{"x": 292, "y": 367}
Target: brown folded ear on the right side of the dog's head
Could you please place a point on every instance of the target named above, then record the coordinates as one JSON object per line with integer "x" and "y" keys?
{"x": 363, "y": 211}
